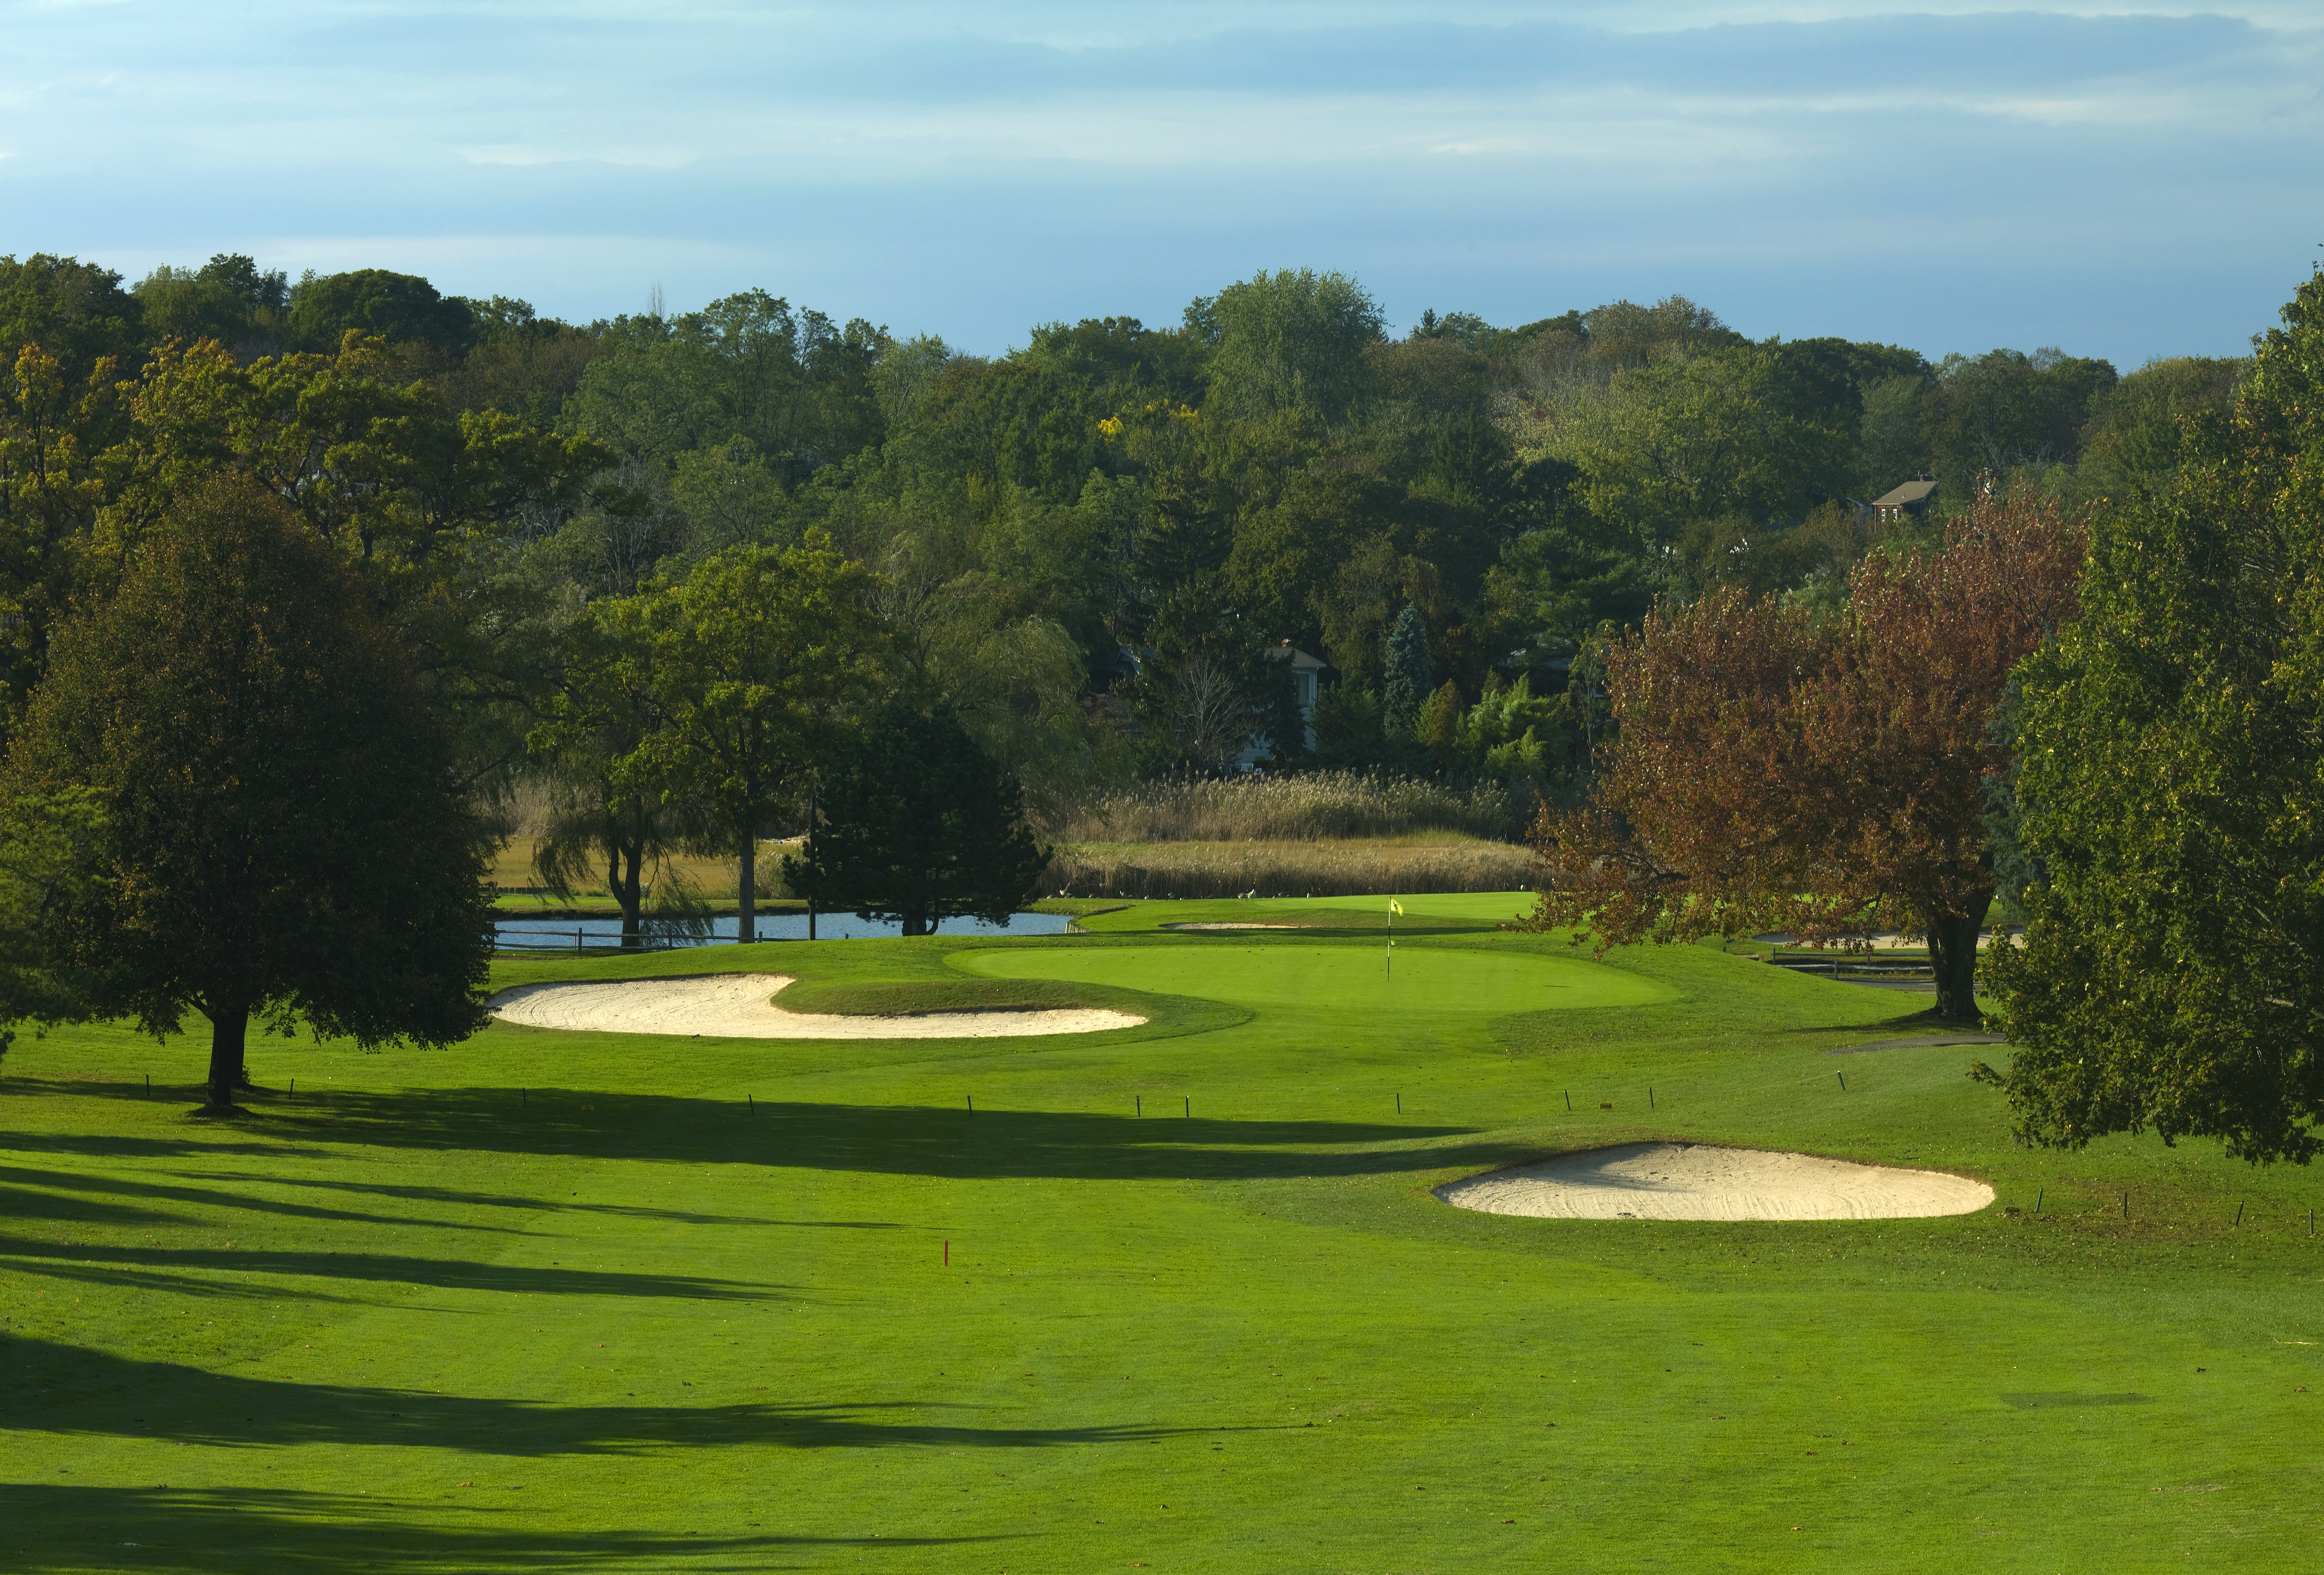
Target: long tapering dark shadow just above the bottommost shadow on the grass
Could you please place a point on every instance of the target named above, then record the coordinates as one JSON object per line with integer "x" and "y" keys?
{"x": 83, "y": 1393}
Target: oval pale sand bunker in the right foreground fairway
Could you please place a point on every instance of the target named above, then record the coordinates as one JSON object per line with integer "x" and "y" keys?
{"x": 1670, "y": 1181}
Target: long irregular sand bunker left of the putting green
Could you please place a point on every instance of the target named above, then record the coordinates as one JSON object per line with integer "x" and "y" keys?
{"x": 743, "y": 1007}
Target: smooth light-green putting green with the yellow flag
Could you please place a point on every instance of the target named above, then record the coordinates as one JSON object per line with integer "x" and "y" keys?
{"x": 1335, "y": 979}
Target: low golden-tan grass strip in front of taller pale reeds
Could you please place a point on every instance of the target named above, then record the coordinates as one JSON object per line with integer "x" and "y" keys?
{"x": 1347, "y": 868}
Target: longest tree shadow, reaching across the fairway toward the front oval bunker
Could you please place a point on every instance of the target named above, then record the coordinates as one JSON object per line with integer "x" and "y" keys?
{"x": 833, "y": 1137}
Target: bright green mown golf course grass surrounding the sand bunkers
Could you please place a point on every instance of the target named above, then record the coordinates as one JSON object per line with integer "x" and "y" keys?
{"x": 680, "y": 1304}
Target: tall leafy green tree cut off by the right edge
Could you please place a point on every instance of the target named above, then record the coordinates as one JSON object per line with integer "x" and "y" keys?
{"x": 2172, "y": 805}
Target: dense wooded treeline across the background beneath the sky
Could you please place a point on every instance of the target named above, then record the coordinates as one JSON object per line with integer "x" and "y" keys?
{"x": 1093, "y": 547}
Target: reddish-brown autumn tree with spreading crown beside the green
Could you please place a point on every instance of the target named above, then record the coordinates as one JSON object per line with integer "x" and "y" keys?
{"x": 1826, "y": 779}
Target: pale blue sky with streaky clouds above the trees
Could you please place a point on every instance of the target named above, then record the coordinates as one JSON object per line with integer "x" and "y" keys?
{"x": 2121, "y": 182}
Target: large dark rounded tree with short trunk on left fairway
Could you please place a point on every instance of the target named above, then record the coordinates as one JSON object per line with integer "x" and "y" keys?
{"x": 273, "y": 817}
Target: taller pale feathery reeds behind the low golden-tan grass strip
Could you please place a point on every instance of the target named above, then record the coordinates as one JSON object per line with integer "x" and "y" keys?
{"x": 1296, "y": 810}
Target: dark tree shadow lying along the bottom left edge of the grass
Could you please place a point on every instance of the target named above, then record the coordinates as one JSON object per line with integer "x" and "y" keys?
{"x": 231, "y": 1532}
